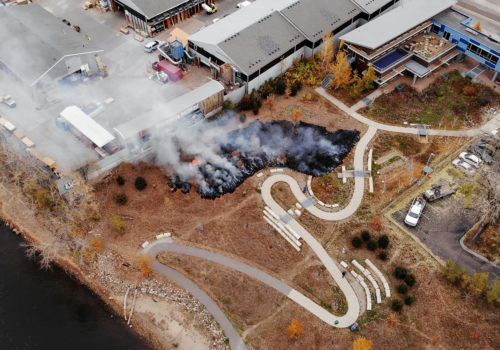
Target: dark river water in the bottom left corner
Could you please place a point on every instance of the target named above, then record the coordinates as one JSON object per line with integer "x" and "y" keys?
{"x": 49, "y": 310}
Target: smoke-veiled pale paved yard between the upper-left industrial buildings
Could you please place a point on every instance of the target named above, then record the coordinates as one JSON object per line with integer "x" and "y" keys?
{"x": 128, "y": 84}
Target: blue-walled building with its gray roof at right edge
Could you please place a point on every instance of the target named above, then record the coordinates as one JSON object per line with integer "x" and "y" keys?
{"x": 455, "y": 26}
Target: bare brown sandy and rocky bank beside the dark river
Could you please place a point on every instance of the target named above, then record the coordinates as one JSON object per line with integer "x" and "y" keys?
{"x": 19, "y": 217}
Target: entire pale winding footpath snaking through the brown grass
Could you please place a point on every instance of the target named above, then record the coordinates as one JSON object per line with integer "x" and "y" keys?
{"x": 359, "y": 182}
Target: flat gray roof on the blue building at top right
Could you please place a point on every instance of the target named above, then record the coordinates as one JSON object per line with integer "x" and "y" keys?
{"x": 453, "y": 19}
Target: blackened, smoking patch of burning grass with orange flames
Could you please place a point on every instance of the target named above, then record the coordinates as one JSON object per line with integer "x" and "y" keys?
{"x": 303, "y": 147}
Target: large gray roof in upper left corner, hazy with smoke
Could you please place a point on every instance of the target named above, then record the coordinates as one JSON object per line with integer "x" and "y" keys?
{"x": 34, "y": 43}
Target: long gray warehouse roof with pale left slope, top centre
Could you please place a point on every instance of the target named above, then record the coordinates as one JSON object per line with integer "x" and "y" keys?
{"x": 255, "y": 35}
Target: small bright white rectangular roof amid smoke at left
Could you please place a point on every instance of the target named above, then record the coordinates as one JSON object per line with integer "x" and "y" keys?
{"x": 87, "y": 126}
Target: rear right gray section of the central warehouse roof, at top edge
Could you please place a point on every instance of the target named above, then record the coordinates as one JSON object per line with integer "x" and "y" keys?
{"x": 315, "y": 18}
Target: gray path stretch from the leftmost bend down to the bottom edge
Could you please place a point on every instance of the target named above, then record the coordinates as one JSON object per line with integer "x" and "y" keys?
{"x": 235, "y": 340}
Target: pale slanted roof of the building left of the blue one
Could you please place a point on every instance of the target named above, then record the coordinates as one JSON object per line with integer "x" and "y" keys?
{"x": 396, "y": 22}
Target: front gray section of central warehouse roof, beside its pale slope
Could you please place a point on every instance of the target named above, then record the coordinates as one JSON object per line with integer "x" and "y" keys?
{"x": 261, "y": 42}
